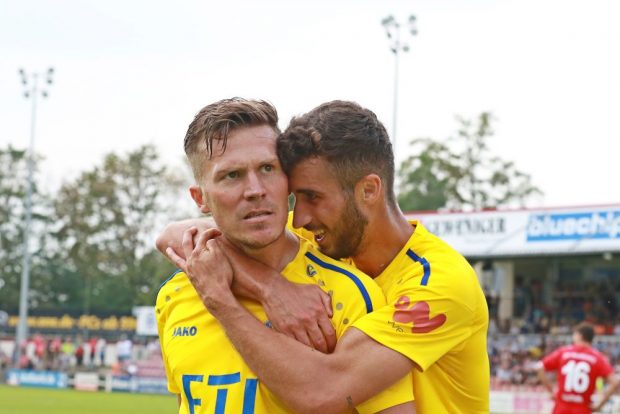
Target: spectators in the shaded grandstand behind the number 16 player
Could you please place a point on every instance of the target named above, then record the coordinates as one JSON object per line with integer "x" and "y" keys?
{"x": 539, "y": 327}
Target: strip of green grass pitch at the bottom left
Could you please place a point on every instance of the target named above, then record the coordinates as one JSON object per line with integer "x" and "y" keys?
{"x": 22, "y": 400}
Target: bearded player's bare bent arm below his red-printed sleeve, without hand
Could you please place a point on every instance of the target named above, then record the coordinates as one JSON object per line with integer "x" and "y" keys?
{"x": 307, "y": 380}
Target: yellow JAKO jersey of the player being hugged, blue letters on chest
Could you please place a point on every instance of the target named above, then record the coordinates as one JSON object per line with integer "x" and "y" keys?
{"x": 203, "y": 366}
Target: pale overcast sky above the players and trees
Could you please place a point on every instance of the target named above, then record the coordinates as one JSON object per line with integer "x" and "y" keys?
{"x": 135, "y": 72}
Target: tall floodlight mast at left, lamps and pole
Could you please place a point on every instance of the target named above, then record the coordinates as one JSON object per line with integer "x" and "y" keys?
{"x": 31, "y": 91}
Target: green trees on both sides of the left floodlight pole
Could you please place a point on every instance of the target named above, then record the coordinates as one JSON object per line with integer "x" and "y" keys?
{"x": 94, "y": 236}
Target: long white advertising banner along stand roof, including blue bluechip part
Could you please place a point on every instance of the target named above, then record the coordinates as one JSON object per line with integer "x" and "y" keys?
{"x": 528, "y": 232}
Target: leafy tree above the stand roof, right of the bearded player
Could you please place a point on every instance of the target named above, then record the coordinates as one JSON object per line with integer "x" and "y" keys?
{"x": 461, "y": 173}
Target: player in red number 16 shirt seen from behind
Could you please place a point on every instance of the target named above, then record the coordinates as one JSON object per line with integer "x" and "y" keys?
{"x": 578, "y": 366}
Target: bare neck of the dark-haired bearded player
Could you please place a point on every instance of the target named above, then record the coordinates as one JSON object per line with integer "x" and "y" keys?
{"x": 386, "y": 234}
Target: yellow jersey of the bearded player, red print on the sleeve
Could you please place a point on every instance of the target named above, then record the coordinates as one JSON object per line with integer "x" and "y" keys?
{"x": 436, "y": 315}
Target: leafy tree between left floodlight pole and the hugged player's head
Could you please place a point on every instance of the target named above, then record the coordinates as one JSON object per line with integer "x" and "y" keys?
{"x": 106, "y": 218}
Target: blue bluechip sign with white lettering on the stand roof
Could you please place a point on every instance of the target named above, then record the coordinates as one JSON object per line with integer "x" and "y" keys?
{"x": 574, "y": 226}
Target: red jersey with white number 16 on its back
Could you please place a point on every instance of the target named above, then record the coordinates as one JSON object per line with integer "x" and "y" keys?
{"x": 578, "y": 368}
